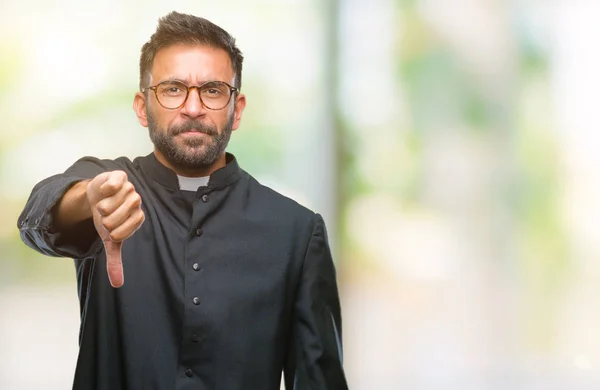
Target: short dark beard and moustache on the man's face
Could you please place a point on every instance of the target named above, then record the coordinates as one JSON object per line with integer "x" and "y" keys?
{"x": 198, "y": 153}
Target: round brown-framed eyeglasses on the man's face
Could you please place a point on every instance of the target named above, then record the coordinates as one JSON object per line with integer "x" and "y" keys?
{"x": 214, "y": 95}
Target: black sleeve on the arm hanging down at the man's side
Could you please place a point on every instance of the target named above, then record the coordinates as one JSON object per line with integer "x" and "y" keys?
{"x": 315, "y": 357}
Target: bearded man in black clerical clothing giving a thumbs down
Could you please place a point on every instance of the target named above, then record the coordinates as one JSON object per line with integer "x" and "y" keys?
{"x": 191, "y": 274}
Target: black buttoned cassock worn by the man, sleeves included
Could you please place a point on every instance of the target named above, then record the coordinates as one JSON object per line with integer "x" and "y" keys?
{"x": 225, "y": 287}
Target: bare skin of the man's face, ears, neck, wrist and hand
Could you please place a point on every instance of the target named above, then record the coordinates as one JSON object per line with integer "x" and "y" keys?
{"x": 109, "y": 198}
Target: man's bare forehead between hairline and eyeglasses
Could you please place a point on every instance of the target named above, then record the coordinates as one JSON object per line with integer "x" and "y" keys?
{"x": 192, "y": 63}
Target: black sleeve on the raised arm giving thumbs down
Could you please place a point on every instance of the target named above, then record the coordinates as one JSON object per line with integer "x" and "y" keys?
{"x": 36, "y": 221}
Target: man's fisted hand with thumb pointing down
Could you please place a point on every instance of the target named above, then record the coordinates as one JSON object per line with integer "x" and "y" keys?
{"x": 117, "y": 213}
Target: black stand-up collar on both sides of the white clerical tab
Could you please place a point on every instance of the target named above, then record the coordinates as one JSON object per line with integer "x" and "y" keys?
{"x": 222, "y": 177}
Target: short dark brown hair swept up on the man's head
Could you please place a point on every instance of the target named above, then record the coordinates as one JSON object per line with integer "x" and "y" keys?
{"x": 176, "y": 28}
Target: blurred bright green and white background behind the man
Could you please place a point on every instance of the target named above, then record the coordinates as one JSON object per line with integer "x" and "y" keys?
{"x": 451, "y": 146}
